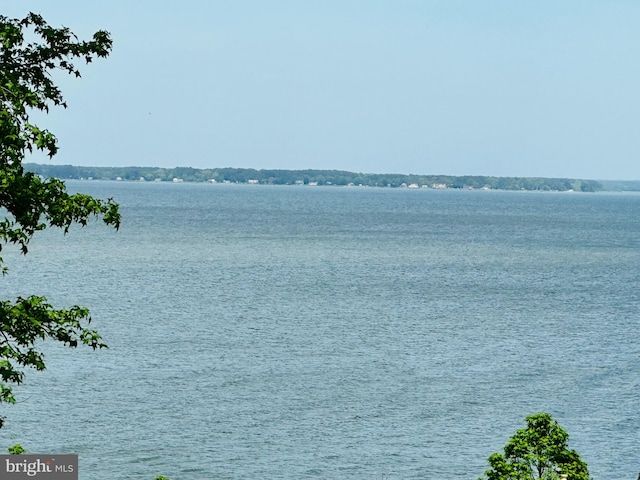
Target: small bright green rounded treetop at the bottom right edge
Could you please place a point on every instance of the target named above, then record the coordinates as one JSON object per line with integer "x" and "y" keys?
{"x": 539, "y": 451}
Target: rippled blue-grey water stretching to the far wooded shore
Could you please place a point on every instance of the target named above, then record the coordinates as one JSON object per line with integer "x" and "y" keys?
{"x": 336, "y": 333}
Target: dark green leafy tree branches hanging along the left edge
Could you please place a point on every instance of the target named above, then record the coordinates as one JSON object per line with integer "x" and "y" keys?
{"x": 30, "y": 50}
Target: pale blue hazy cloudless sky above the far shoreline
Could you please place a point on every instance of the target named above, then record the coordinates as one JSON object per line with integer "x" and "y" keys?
{"x": 510, "y": 88}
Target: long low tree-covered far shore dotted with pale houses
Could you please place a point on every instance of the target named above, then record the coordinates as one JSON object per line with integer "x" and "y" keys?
{"x": 311, "y": 177}
